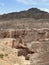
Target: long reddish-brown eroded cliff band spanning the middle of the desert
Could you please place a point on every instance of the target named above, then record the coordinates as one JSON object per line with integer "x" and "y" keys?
{"x": 35, "y": 34}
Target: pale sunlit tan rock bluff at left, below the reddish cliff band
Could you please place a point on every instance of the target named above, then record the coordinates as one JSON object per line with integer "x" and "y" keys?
{"x": 8, "y": 41}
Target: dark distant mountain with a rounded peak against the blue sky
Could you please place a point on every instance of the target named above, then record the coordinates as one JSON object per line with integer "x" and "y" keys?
{"x": 30, "y": 13}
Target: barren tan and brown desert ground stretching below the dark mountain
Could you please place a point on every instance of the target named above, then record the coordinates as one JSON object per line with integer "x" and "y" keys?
{"x": 24, "y": 41}
